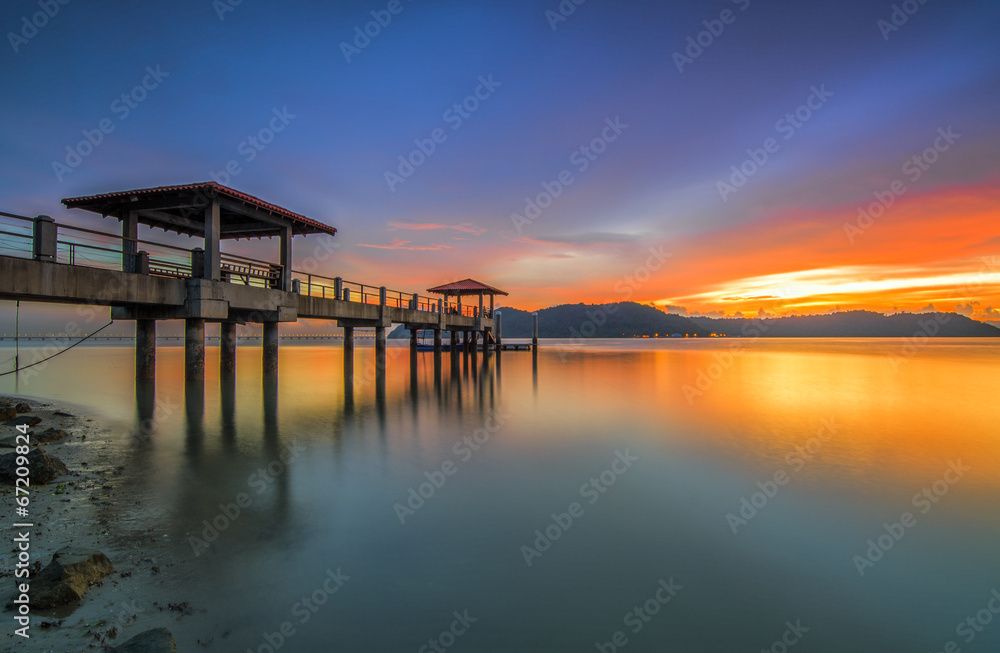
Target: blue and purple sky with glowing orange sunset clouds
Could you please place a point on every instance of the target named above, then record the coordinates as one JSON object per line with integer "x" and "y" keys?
{"x": 853, "y": 112}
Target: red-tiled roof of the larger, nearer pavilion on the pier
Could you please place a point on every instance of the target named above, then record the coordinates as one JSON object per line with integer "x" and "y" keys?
{"x": 111, "y": 203}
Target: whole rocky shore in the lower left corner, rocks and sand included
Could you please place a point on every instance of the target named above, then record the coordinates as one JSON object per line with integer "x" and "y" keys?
{"x": 98, "y": 575}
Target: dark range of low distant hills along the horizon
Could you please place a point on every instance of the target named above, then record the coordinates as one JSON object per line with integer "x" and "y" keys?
{"x": 629, "y": 319}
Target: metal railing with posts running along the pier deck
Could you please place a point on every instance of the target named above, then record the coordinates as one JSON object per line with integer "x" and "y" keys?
{"x": 98, "y": 249}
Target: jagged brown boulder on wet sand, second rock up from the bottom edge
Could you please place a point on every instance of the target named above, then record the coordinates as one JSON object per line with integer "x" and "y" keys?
{"x": 67, "y": 577}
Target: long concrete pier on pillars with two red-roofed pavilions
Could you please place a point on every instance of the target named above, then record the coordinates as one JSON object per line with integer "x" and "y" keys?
{"x": 147, "y": 281}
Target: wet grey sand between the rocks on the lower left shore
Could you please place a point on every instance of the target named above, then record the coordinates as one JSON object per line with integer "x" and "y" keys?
{"x": 96, "y": 506}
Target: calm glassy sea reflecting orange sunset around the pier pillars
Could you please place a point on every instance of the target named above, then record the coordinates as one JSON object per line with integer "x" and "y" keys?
{"x": 671, "y": 495}
